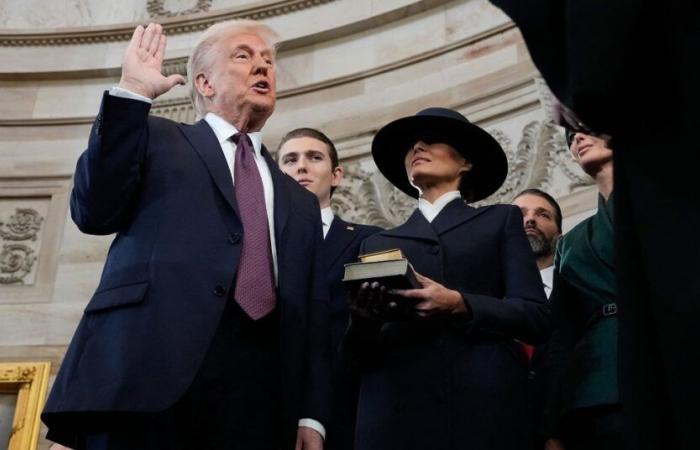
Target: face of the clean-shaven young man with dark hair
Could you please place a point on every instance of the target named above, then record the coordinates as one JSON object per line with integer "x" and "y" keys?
{"x": 307, "y": 161}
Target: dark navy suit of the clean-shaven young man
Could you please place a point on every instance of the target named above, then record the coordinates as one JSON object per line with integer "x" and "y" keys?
{"x": 341, "y": 246}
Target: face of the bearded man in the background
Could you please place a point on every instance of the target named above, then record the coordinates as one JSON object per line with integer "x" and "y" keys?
{"x": 539, "y": 220}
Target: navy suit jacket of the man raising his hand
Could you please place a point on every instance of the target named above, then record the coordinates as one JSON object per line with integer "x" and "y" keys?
{"x": 166, "y": 190}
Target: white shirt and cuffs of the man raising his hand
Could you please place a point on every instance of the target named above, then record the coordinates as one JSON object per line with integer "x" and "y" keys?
{"x": 223, "y": 131}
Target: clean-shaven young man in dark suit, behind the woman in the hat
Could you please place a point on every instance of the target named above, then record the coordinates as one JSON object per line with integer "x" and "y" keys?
{"x": 310, "y": 157}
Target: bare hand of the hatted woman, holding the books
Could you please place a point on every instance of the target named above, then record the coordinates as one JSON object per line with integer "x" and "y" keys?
{"x": 434, "y": 298}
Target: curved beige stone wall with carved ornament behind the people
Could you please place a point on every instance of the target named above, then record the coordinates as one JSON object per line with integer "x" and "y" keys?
{"x": 346, "y": 67}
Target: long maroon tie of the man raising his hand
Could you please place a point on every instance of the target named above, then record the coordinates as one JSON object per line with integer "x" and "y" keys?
{"x": 255, "y": 286}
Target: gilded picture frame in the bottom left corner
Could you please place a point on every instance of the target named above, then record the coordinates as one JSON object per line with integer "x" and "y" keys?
{"x": 29, "y": 381}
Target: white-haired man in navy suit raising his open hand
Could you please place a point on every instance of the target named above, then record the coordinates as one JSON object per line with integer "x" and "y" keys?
{"x": 209, "y": 326}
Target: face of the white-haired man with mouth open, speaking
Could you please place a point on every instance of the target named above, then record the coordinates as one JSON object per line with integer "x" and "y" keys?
{"x": 241, "y": 85}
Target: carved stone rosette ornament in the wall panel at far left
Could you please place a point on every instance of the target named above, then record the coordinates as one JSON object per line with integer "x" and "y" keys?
{"x": 18, "y": 255}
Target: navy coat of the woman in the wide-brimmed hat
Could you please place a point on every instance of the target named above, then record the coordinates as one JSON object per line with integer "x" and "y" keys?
{"x": 442, "y": 383}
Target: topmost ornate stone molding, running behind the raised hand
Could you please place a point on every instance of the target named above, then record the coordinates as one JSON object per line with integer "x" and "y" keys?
{"x": 173, "y": 25}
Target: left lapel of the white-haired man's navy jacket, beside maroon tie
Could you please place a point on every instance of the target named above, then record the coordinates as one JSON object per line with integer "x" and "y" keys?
{"x": 202, "y": 138}
